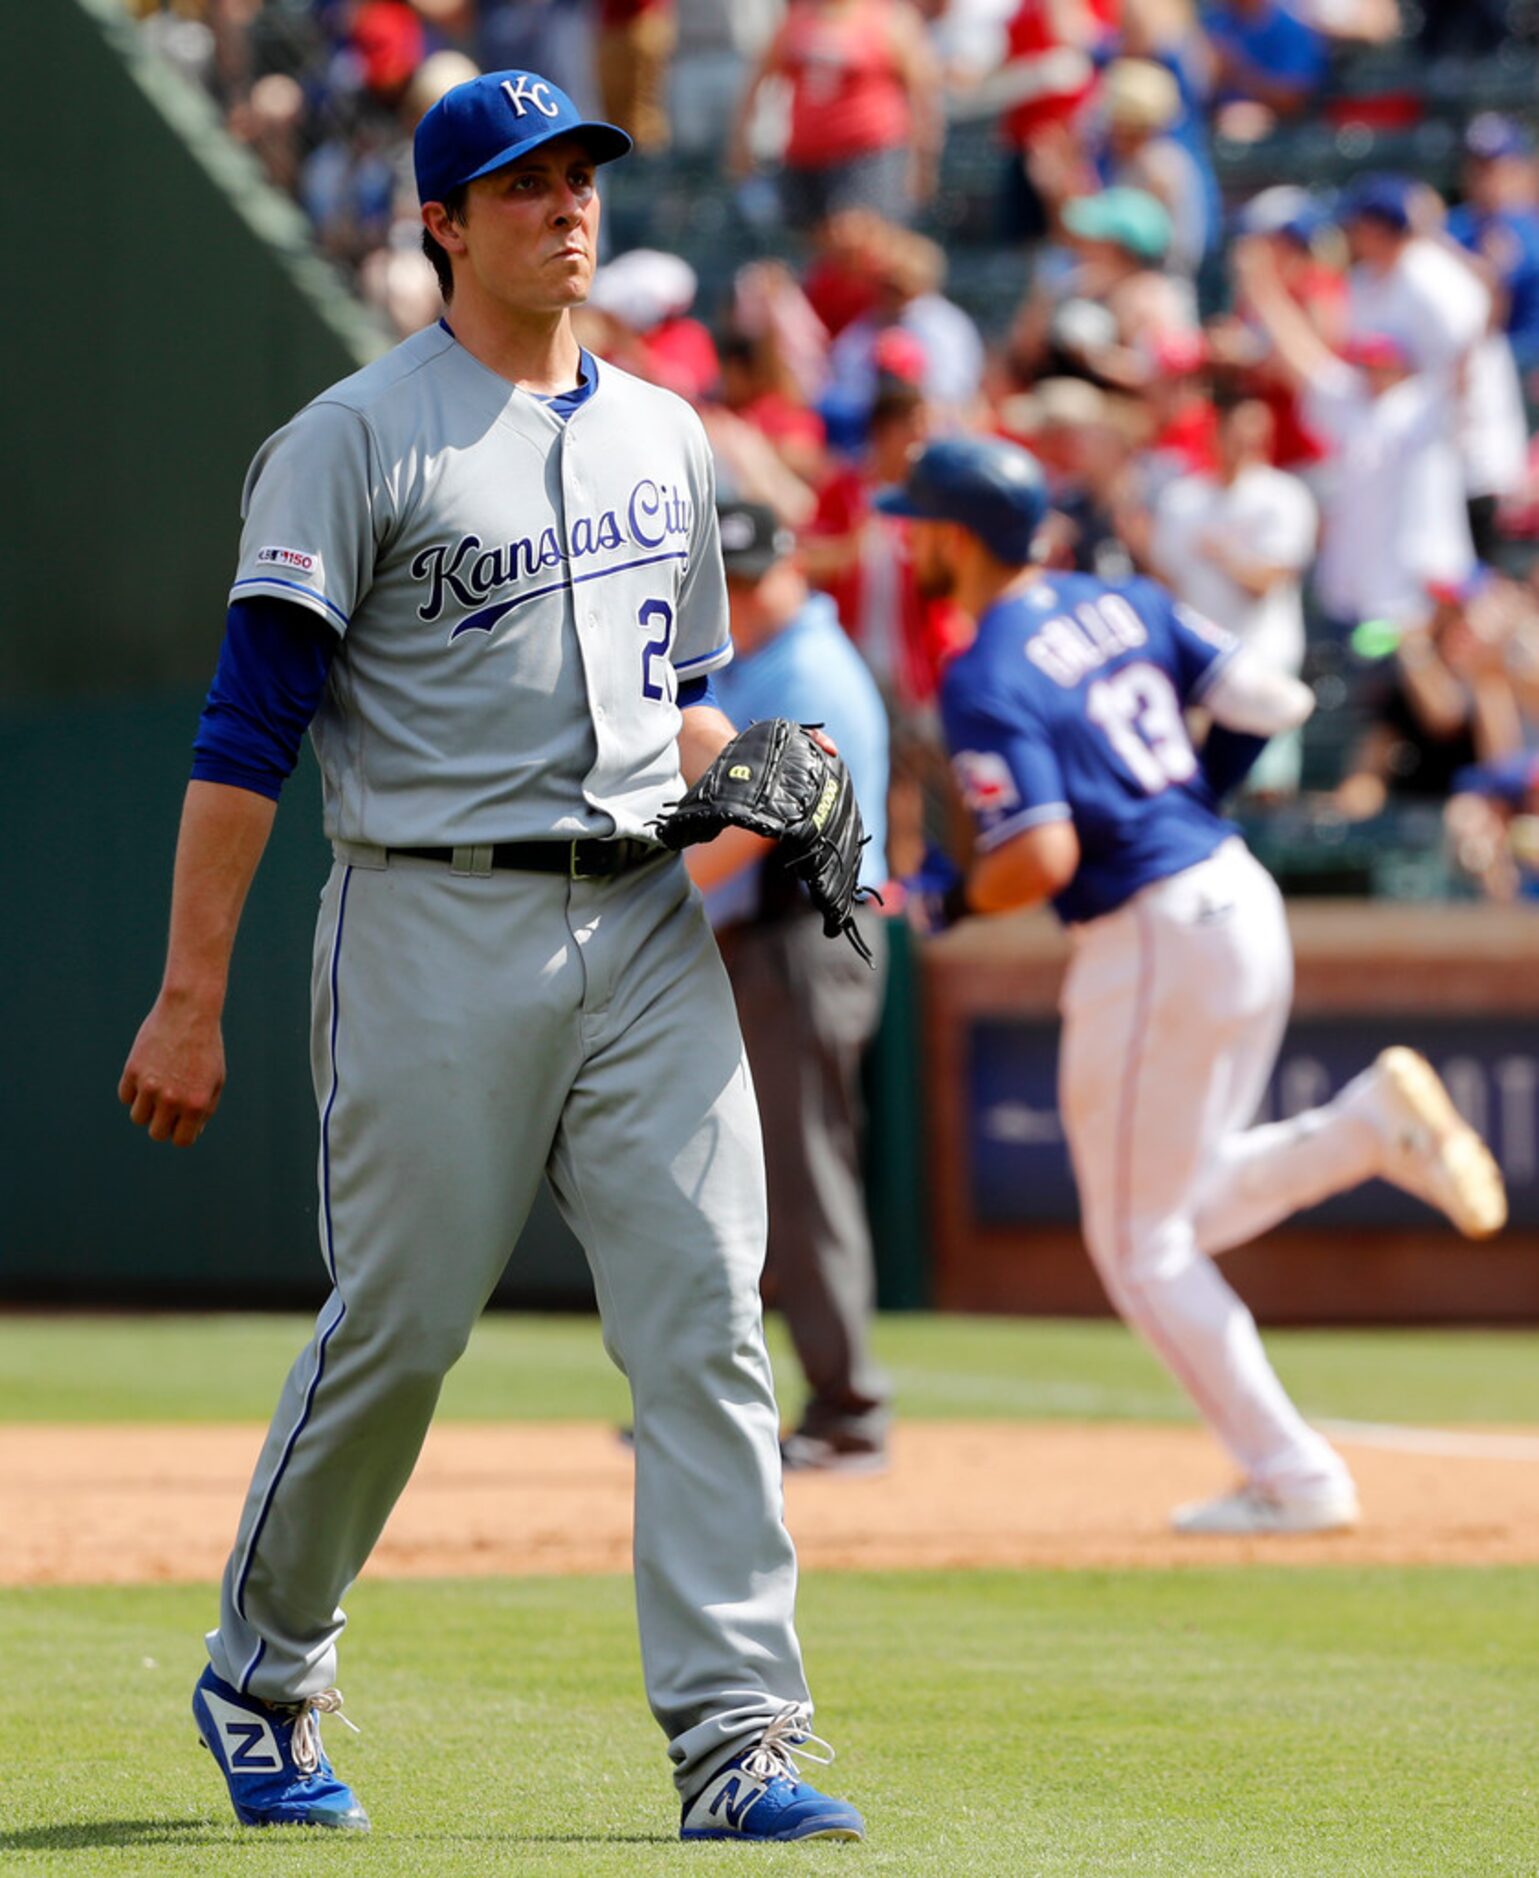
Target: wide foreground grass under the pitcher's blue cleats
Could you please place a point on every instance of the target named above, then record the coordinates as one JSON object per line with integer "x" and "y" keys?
{"x": 1190, "y": 1723}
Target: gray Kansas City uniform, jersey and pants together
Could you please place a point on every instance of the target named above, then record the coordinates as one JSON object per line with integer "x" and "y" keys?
{"x": 516, "y": 600}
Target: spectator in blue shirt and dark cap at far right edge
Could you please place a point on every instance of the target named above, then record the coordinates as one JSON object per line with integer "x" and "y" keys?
{"x": 1499, "y": 221}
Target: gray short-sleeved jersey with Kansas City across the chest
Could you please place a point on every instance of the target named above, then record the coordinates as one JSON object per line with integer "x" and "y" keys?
{"x": 516, "y": 596}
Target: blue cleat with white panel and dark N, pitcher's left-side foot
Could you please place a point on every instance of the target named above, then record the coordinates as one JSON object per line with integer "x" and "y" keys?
{"x": 272, "y": 1757}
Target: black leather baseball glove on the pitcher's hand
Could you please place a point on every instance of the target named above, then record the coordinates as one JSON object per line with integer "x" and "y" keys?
{"x": 775, "y": 780}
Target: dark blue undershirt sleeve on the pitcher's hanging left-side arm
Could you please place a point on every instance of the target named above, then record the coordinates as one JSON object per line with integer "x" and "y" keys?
{"x": 270, "y": 685}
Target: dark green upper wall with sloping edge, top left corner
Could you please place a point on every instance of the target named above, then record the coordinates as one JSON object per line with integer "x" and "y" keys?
{"x": 164, "y": 315}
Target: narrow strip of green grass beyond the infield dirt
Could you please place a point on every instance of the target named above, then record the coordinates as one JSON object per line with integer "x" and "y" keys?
{"x": 553, "y": 1368}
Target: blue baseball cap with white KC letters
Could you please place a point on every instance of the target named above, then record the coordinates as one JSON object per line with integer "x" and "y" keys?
{"x": 497, "y": 119}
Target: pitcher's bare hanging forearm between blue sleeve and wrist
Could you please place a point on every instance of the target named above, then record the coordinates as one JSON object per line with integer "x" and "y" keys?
{"x": 223, "y": 839}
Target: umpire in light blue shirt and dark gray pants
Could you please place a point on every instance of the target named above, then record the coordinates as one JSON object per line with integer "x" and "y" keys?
{"x": 807, "y": 1008}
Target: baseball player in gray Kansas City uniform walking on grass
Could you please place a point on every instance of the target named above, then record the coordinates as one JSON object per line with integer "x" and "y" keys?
{"x": 486, "y": 574}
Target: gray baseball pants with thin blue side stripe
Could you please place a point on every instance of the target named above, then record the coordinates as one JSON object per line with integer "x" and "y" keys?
{"x": 471, "y": 1034}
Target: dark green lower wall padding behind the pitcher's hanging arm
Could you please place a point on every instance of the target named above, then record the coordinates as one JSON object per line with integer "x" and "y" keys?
{"x": 91, "y": 1210}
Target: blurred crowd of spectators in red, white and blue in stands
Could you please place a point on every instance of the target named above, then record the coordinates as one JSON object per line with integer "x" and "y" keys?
{"x": 1256, "y": 281}
